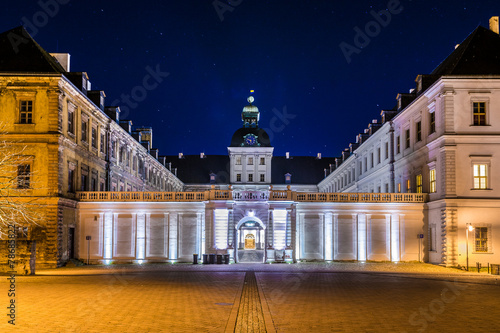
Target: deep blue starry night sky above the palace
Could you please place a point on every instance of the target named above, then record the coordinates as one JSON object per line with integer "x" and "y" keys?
{"x": 310, "y": 97}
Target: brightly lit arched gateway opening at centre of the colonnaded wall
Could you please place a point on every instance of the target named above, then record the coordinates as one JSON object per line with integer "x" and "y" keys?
{"x": 250, "y": 244}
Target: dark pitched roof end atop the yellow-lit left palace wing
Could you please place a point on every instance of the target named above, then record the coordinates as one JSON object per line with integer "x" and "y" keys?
{"x": 20, "y": 53}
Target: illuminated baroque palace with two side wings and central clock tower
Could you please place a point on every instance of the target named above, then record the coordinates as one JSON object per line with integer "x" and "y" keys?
{"x": 412, "y": 187}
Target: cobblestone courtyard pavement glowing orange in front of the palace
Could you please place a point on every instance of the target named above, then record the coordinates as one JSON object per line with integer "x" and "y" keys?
{"x": 312, "y": 297}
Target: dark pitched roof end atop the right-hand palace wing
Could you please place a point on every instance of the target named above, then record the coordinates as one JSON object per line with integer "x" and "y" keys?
{"x": 478, "y": 54}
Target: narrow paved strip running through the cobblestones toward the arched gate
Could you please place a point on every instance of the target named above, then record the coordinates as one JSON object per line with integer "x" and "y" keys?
{"x": 250, "y": 316}
